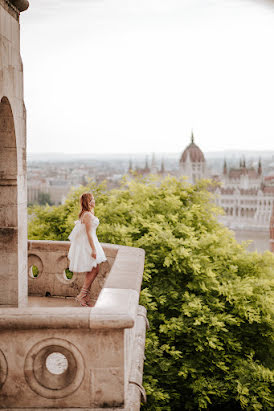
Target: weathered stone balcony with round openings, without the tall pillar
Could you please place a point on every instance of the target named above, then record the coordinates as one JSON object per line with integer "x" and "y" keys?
{"x": 56, "y": 354}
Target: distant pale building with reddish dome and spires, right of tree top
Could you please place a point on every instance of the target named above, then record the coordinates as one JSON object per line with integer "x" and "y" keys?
{"x": 245, "y": 194}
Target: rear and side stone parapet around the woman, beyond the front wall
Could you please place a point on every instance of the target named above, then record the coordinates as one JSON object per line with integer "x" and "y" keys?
{"x": 123, "y": 270}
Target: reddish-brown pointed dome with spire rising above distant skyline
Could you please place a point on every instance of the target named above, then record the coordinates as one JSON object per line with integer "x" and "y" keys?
{"x": 192, "y": 163}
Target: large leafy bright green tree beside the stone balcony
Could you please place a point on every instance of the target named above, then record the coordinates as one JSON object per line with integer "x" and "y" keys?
{"x": 209, "y": 300}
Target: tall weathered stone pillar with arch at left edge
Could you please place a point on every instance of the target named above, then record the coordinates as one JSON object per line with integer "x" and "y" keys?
{"x": 13, "y": 194}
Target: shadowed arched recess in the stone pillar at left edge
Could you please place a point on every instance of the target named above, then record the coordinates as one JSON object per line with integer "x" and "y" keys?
{"x": 8, "y": 206}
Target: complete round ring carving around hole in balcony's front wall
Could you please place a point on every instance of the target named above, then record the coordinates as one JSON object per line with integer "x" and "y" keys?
{"x": 47, "y": 384}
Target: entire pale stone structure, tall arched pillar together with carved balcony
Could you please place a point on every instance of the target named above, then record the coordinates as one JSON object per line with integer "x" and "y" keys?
{"x": 53, "y": 353}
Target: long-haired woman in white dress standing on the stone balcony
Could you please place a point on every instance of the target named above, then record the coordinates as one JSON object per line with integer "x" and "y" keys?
{"x": 85, "y": 253}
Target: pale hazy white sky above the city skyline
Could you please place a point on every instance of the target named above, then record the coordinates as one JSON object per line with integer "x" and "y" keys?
{"x": 138, "y": 75}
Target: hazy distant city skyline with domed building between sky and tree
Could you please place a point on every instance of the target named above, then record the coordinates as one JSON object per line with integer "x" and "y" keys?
{"x": 245, "y": 180}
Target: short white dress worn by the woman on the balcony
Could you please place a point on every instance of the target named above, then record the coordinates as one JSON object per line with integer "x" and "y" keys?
{"x": 80, "y": 250}
